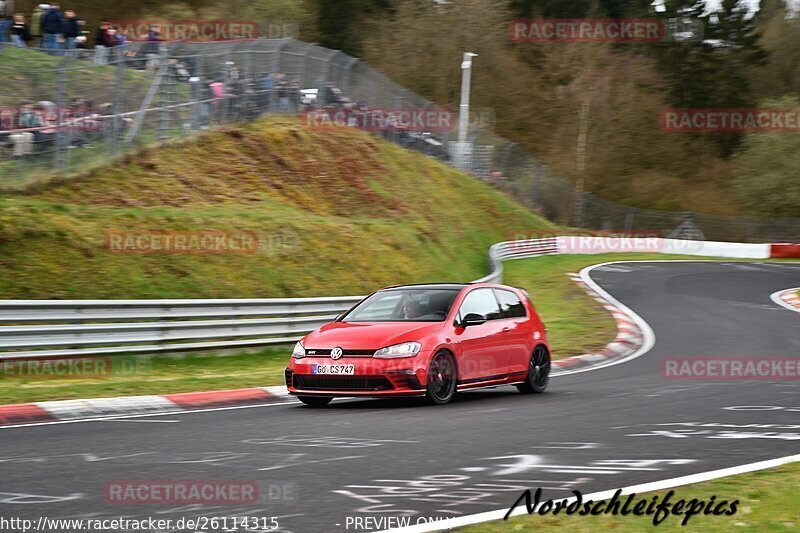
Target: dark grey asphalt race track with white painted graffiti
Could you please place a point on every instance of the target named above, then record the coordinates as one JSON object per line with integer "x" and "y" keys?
{"x": 596, "y": 430}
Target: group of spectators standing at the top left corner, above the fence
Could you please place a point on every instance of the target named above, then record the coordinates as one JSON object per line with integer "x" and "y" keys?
{"x": 49, "y": 27}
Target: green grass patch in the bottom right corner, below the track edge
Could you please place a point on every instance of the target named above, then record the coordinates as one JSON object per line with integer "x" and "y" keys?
{"x": 768, "y": 501}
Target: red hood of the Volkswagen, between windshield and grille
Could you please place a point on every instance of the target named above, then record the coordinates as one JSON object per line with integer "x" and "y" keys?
{"x": 368, "y": 335}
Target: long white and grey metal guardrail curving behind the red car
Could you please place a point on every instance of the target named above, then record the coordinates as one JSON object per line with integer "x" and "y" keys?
{"x": 55, "y": 328}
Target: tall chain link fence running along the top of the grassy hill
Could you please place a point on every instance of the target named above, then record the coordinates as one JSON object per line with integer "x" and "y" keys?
{"x": 68, "y": 111}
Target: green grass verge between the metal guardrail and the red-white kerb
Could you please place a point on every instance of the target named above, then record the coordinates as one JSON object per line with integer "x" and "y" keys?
{"x": 576, "y": 324}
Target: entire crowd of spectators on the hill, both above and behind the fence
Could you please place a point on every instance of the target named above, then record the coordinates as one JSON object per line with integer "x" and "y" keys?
{"x": 220, "y": 96}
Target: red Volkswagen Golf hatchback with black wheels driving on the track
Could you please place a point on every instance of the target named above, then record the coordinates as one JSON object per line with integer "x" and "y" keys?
{"x": 424, "y": 340}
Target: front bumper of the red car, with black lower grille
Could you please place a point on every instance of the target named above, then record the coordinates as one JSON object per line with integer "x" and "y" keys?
{"x": 371, "y": 377}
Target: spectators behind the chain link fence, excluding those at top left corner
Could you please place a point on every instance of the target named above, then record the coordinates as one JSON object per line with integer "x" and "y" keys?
{"x": 222, "y": 97}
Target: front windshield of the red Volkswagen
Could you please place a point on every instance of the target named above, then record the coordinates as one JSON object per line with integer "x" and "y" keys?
{"x": 404, "y": 305}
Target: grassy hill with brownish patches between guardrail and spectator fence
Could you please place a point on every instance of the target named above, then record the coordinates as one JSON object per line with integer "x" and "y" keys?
{"x": 335, "y": 211}
